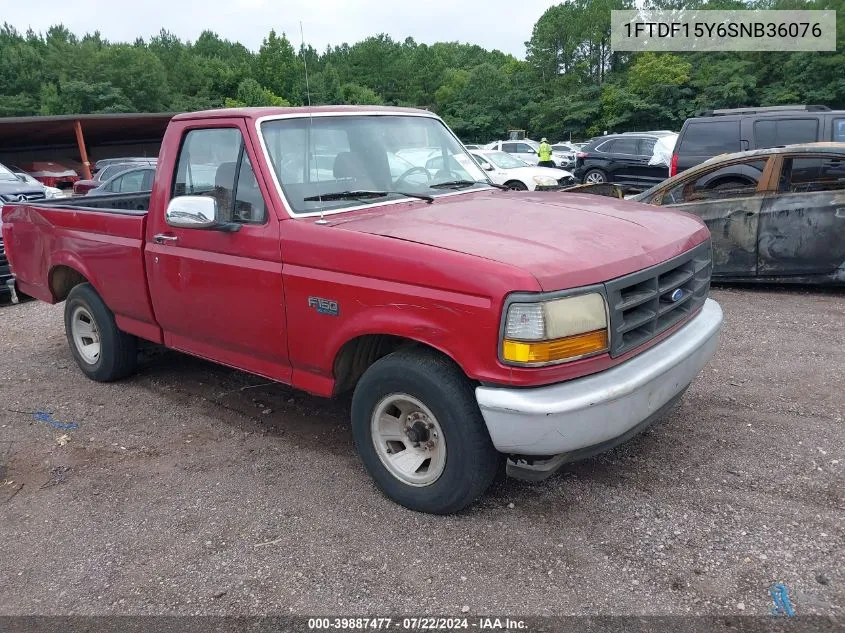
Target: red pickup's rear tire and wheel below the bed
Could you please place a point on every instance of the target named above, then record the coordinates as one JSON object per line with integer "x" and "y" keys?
{"x": 103, "y": 352}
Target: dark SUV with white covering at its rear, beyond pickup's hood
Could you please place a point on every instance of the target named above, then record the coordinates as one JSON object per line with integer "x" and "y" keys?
{"x": 621, "y": 159}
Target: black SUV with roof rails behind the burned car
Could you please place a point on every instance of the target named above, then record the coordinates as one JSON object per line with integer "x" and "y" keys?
{"x": 725, "y": 131}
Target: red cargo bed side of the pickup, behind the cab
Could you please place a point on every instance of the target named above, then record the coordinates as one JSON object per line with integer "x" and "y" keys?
{"x": 102, "y": 237}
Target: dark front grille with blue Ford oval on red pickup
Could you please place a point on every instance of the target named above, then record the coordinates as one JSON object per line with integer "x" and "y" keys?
{"x": 641, "y": 306}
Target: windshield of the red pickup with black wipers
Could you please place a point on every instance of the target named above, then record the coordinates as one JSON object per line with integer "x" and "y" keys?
{"x": 325, "y": 155}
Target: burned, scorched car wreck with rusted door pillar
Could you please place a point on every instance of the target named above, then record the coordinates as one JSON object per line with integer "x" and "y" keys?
{"x": 775, "y": 215}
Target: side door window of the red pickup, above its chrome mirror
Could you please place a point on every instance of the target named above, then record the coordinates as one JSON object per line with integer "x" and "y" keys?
{"x": 213, "y": 162}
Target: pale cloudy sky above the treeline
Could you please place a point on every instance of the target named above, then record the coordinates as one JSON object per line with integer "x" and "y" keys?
{"x": 502, "y": 24}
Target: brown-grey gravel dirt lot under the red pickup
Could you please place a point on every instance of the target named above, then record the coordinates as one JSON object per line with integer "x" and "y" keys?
{"x": 193, "y": 488}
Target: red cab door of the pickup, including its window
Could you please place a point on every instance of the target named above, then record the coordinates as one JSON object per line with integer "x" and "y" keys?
{"x": 218, "y": 294}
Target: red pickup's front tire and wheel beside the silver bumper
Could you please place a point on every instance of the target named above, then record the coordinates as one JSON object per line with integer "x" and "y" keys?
{"x": 420, "y": 434}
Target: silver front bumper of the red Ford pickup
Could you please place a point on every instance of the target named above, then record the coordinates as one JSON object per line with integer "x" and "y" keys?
{"x": 597, "y": 409}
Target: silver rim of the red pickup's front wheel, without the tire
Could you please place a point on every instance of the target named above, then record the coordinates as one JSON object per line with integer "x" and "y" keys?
{"x": 408, "y": 440}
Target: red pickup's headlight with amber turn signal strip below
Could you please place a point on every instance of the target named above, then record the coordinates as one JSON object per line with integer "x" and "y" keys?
{"x": 556, "y": 331}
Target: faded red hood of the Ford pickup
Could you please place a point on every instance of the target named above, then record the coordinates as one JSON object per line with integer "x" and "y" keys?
{"x": 562, "y": 239}
